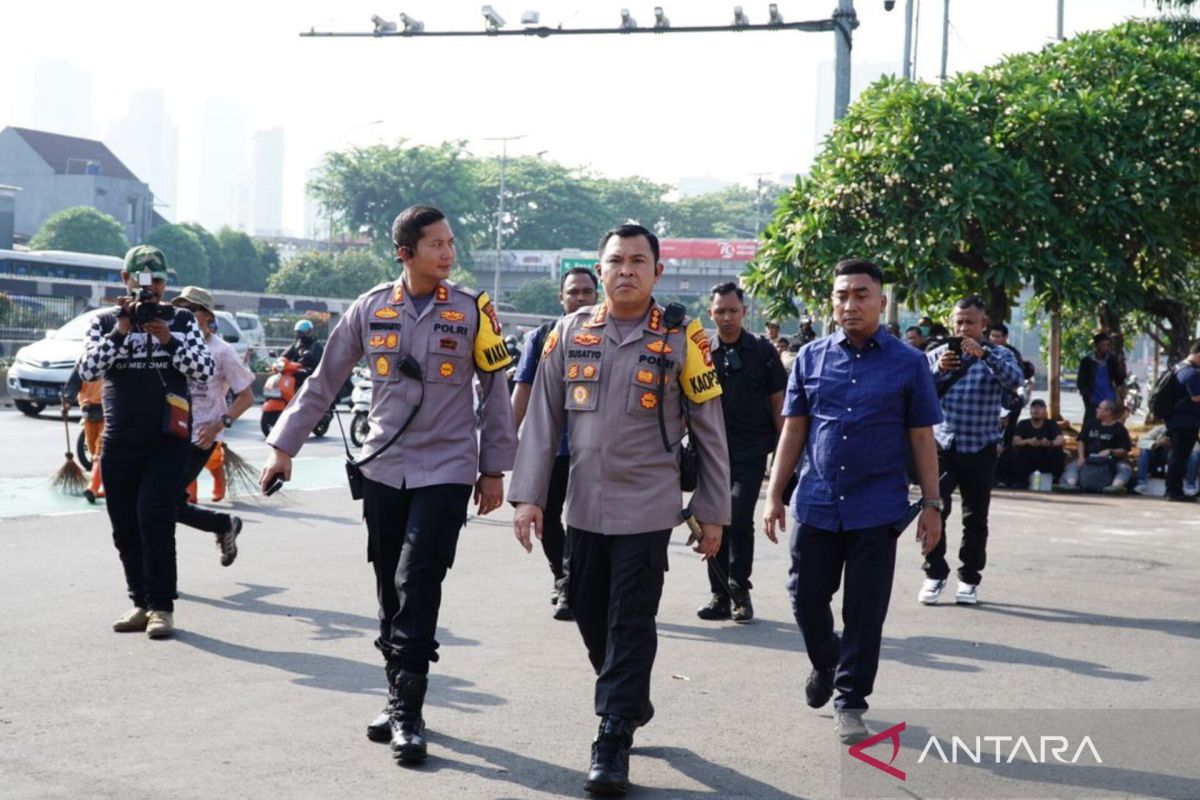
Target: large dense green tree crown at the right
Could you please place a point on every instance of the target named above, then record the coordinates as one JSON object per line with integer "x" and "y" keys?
{"x": 1066, "y": 170}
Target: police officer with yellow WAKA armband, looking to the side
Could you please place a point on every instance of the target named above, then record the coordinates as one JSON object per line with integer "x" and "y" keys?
{"x": 424, "y": 340}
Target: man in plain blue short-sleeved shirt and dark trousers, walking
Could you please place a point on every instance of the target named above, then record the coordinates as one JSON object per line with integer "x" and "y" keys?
{"x": 859, "y": 402}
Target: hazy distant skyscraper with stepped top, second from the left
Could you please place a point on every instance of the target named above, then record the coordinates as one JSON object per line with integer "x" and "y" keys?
{"x": 148, "y": 142}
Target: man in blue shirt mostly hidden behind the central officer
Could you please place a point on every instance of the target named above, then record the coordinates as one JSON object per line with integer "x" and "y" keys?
{"x": 575, "y": 291}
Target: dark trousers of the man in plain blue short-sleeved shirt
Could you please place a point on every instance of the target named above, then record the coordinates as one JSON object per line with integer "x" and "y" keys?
{"x": 868, "y": 558}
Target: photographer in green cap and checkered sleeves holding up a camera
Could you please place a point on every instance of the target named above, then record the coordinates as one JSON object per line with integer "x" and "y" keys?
{"x": 147, "y": 352}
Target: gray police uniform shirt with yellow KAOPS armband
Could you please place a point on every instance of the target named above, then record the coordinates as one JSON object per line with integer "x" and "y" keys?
{"x": 622, "y": 479}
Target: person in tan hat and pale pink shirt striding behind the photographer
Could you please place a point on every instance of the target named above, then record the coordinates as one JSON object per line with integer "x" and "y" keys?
{"x": 211, "y": 418}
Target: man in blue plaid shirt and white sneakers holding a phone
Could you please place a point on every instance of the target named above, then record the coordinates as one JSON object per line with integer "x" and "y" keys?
{"x": 971, "y": 381}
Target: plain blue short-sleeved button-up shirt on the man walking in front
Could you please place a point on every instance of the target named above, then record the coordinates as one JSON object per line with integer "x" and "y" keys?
{"x": 861, "y": 406}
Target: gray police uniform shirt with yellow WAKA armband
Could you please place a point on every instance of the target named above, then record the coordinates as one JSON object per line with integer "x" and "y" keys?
{"x": 454, "y": 339}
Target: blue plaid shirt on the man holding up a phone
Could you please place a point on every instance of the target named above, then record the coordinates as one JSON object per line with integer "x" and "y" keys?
{"x": 973, "y": 406}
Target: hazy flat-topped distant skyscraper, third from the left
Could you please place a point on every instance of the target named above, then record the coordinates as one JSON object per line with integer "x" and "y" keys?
{"x": 225, "y": 135}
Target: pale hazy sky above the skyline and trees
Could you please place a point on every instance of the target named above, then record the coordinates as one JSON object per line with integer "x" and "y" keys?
{"x": 665, "y": 107}
